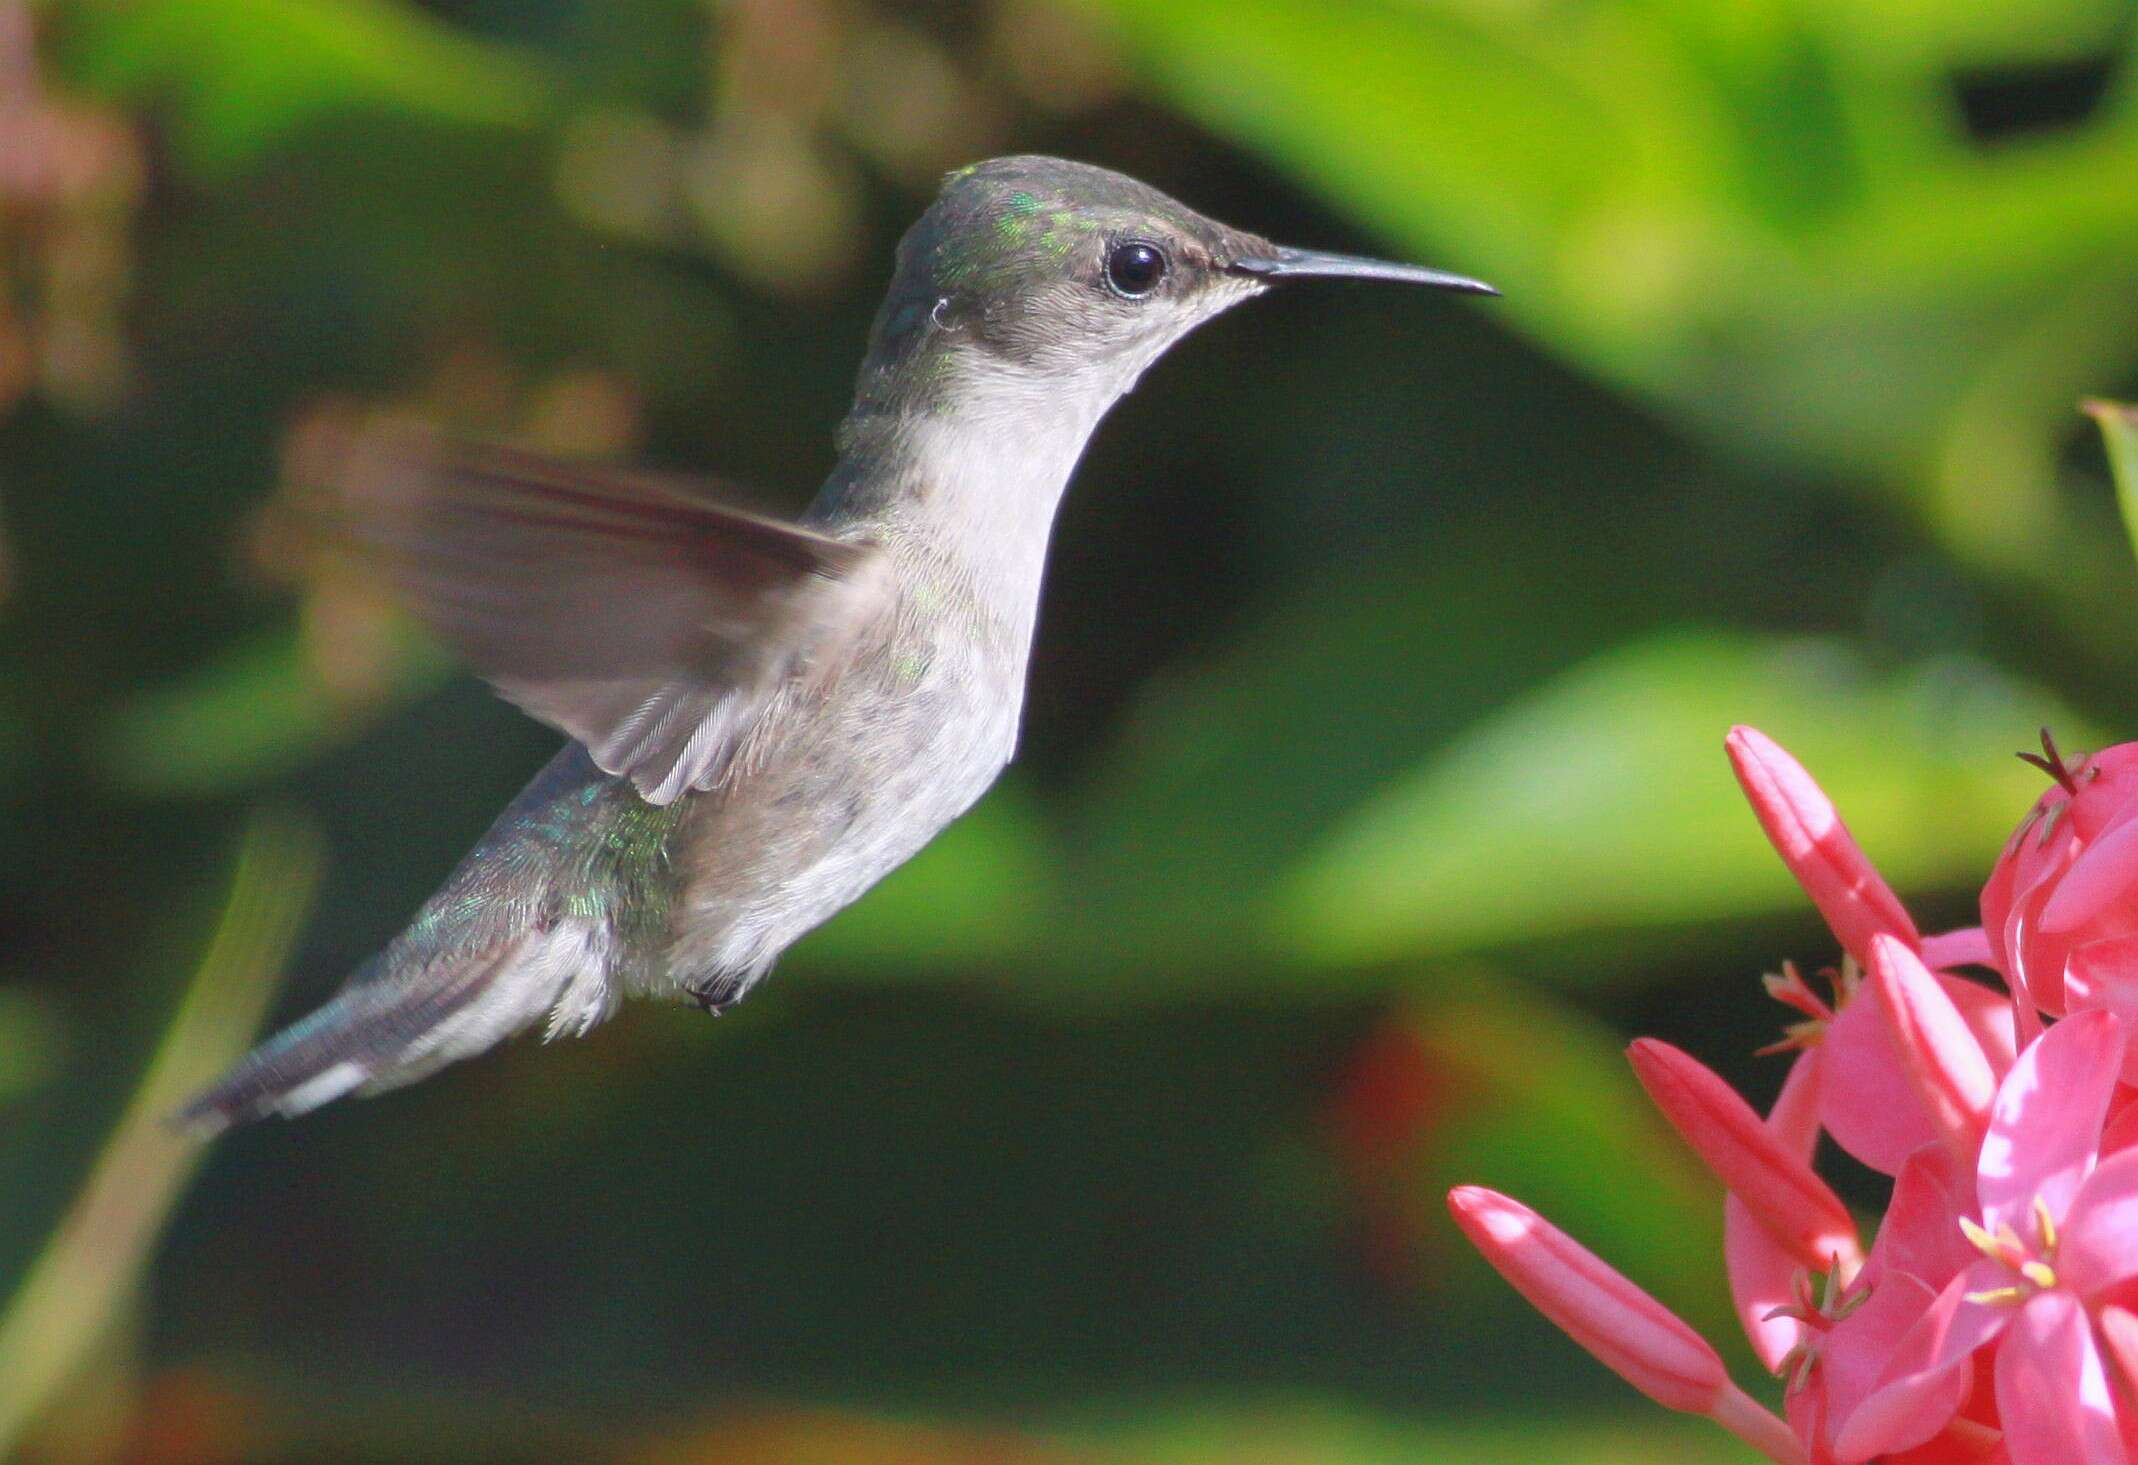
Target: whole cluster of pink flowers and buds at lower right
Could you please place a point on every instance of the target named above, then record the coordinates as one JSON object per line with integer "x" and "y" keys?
{"x": 1994, "y": 1316}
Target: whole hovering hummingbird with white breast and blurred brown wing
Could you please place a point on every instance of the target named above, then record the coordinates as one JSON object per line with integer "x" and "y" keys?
{"x": 766, "y": 718}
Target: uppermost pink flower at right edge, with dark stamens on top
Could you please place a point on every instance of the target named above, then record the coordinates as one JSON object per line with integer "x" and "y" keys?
{"x": 2062, "y": 906}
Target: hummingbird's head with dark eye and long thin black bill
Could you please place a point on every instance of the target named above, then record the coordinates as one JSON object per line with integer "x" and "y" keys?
{"x": 1055, "y": 277}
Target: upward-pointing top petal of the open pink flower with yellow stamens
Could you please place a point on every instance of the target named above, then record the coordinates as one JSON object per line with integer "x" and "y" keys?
{"x": 2047, "y": 1122}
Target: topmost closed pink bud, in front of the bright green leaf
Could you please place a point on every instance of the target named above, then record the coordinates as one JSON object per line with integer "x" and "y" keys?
{"x": 1816, "y": 846}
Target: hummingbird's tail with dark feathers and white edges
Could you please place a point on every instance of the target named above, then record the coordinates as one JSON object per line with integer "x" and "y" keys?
{"x": 388, "y": 1030}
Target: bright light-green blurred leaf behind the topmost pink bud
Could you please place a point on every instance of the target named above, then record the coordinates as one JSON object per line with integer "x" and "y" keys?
{"x": 1602, "y": 801}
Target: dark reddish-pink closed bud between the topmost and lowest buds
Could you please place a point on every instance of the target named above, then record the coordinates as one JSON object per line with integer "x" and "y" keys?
{"x": 1780, "y": 1190}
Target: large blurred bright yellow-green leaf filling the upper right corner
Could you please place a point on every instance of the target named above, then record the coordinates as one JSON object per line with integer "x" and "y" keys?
{"x": 1761, "y": 215}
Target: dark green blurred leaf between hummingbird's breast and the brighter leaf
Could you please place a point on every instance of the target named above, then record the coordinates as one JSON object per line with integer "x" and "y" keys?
{"x": 1226, "y": 775}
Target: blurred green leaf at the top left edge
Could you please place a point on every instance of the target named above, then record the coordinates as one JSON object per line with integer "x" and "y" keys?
{"x": 245, "y": 74}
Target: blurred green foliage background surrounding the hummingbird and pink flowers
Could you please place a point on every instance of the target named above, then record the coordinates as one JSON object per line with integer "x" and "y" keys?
{"x": 1374, "y": 782}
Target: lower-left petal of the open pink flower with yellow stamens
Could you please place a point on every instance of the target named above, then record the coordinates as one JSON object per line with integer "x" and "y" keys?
{"x": 1930, "y": 1374}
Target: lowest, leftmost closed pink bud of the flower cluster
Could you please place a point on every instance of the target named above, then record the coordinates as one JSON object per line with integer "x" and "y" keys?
{"x": 1624, "y": 1327}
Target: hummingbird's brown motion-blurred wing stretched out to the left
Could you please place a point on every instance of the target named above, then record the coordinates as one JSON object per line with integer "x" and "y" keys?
{"x": 649, "y": 626}
